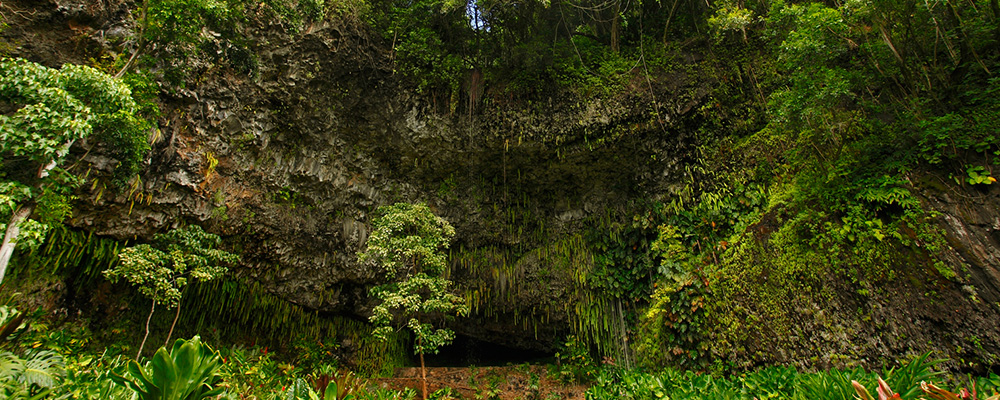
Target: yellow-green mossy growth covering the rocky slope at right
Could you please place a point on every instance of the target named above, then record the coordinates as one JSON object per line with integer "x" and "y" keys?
{"x": 813, "y": 258}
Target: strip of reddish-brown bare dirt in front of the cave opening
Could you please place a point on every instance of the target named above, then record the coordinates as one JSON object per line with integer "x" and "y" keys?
{"x": 525, "y": 382}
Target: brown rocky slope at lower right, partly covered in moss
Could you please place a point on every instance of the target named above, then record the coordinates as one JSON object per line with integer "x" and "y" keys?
{"x": 933, "y": 296}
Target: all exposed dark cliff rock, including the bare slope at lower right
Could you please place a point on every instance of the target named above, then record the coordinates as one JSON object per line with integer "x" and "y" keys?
{"x": 290, "y": 162}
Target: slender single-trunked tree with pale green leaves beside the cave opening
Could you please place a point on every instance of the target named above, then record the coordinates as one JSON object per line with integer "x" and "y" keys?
{"x": 407, "y": 243}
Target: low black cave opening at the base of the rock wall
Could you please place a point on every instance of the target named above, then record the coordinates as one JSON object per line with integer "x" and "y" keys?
{"x": 467, "y": 351}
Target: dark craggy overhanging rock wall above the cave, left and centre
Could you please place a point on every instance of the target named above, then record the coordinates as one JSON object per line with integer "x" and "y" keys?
{"x": 290, "y": 162}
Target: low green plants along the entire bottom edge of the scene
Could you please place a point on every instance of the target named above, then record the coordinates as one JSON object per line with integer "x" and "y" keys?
{"x": 41, "y": 364}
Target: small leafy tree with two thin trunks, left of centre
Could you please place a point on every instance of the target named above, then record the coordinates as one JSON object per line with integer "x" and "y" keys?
{"x": 162, "y": 269}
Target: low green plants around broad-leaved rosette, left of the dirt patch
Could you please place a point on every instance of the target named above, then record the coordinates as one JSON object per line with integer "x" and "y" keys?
{"x": 45, "y": 363}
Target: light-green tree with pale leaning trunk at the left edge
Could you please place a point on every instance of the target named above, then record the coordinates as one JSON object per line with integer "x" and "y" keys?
{"x": 43, "y": 111}
